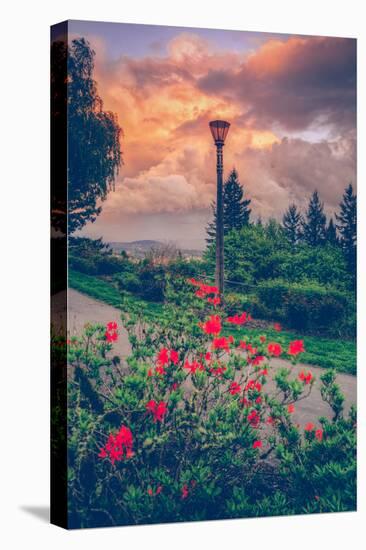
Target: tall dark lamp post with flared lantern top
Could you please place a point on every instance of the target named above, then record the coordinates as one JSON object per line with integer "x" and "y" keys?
{"x": 219, "y": 130}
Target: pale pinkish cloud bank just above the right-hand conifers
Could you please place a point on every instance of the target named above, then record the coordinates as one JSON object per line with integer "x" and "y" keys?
{"x": 290, "y": 170}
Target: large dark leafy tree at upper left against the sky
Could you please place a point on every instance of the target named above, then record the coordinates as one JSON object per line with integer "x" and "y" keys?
{"x": 93, "y": 135}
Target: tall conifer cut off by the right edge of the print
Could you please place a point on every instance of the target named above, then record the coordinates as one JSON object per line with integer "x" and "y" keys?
{"x": 347, "y": 221}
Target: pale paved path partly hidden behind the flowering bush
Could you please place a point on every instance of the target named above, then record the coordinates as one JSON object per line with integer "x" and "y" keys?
{"x": 83, "y": 309}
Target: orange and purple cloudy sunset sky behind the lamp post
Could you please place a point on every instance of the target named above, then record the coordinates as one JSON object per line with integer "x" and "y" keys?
{"x": 290, "y": 100}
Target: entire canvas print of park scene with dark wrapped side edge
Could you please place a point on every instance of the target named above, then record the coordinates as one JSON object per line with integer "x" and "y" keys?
{"x": 203, "y": 246}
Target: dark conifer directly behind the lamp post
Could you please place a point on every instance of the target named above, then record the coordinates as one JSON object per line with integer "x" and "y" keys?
{"x": 236, "y": 208}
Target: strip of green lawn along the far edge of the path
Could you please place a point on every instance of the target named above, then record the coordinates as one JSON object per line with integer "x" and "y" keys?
{"x": 321, "y": 352}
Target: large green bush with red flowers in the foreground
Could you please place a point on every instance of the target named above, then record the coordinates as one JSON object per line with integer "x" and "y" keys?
{"x": 184, "y": 428}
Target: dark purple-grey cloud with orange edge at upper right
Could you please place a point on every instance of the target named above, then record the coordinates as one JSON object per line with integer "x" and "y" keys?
{"x": 293, "y": 83}
